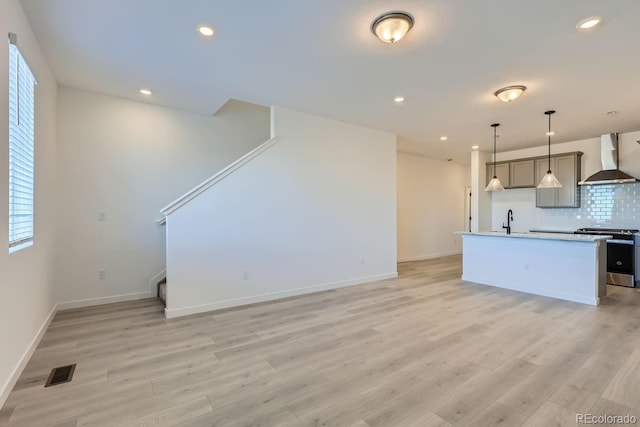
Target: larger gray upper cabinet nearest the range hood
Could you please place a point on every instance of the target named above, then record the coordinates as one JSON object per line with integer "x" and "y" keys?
{"x": 567, "y": 169}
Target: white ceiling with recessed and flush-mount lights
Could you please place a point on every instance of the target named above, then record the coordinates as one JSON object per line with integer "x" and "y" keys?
{"x": 319, "y": 56}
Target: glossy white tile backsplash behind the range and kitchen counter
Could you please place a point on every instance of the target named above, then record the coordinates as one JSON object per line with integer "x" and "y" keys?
{"x": 606, "y": 206}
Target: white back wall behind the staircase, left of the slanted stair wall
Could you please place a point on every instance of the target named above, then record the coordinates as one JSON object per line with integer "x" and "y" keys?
{"x": 128, "y": 160}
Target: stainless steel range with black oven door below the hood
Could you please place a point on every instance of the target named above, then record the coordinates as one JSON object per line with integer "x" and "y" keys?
{"x": 622, "y": 262}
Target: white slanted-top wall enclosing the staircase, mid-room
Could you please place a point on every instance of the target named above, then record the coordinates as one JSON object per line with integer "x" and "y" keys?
{"x": 317, "y": 210}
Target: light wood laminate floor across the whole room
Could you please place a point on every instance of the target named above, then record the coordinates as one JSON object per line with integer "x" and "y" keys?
{"x": 425, "y": 349}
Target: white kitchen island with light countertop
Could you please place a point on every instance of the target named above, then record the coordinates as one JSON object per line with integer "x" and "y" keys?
{"x": 571, "y": 267}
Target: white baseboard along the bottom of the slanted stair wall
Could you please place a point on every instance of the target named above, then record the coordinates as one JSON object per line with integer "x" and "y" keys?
{"x": 218, "y": 305}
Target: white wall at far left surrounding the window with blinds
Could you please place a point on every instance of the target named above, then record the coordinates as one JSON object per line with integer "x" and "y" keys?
{"x": 26, "y": 283}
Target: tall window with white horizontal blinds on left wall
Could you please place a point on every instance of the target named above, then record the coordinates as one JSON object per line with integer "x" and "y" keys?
{"x": 21, "y": 148}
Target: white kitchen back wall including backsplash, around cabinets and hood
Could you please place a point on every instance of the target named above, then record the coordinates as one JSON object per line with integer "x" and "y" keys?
{"x": 621, "y": 200}
